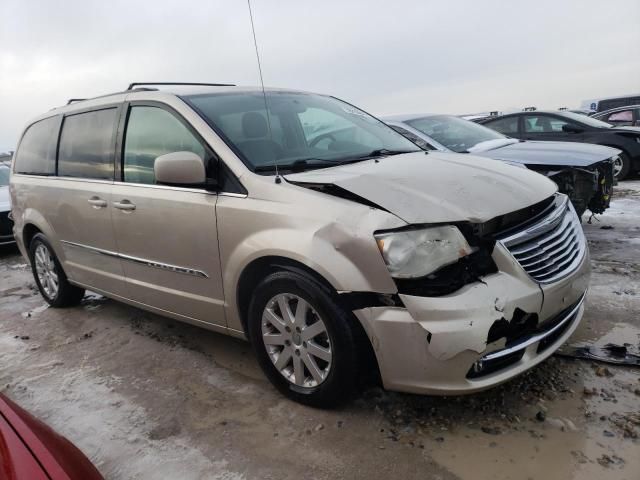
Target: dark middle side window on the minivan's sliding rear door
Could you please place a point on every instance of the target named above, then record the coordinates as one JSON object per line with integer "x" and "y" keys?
{"x": 87, "y": 145}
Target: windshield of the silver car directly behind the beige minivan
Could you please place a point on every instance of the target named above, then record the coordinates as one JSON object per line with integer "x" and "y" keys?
{"x": 454, "y": 133}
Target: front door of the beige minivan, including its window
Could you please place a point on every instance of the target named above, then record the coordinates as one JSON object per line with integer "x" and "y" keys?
{"x": 167, "y": 236}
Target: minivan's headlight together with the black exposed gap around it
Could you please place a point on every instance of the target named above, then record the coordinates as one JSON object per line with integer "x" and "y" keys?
{"x": 434, "y": 261}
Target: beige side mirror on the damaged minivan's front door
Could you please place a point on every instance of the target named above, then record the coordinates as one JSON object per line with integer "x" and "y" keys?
{"x": 179, "y": 168}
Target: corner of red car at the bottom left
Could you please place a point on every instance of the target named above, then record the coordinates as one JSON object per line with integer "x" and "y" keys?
{"x": 30, "y": 450}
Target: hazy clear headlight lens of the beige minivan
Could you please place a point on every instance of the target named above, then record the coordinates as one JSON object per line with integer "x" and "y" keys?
{"x": 416, "y": 253}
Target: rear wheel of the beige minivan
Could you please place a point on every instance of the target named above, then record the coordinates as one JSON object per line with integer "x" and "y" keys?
{"x": 47, "y": 270}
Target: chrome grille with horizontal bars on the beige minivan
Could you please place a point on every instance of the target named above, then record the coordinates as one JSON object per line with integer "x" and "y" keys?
{"x": 553, "y": 246}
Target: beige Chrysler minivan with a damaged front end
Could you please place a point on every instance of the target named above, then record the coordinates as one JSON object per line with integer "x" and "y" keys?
{"x": 331, "y": 242}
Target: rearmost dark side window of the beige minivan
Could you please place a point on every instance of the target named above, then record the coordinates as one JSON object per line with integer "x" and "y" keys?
{"x": 37, "y": 152}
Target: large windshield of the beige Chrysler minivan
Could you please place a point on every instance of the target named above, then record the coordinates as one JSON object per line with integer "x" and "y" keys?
{"x": 310, "y": 131}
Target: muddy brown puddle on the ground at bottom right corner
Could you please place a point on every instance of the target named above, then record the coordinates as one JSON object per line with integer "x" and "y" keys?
{"x": 580, "y": 438}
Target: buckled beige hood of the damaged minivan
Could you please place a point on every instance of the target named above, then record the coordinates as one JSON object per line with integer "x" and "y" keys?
{"x": 438, "y": 187}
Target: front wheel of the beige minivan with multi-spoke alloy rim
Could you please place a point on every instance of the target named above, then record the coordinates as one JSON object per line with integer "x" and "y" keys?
{"x": 339, "y": 374}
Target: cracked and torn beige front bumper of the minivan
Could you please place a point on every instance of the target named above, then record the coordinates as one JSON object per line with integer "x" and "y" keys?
{"x": 439, "y": 345}
